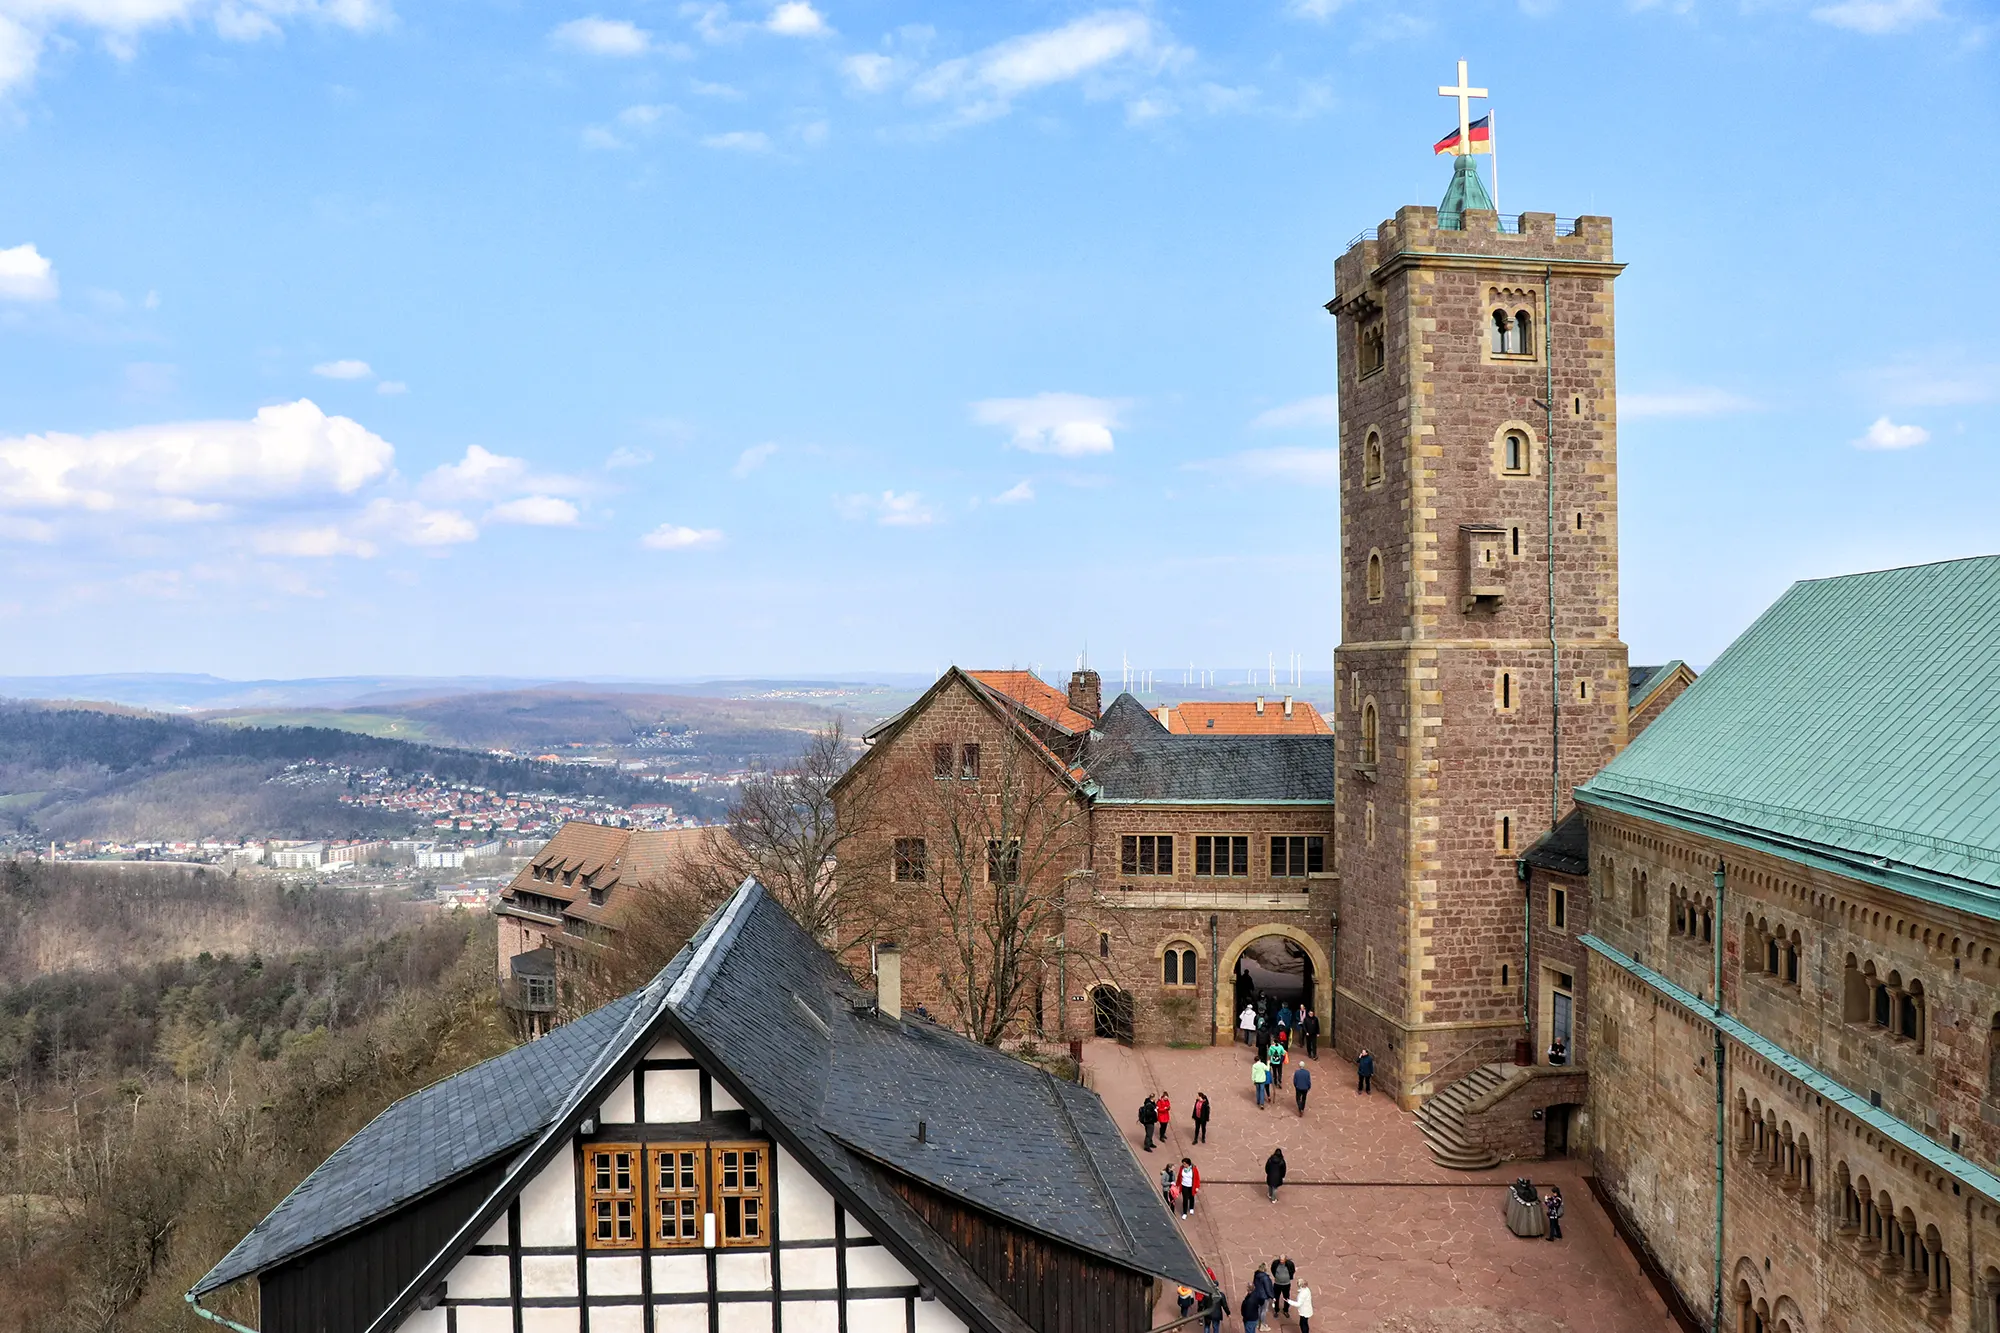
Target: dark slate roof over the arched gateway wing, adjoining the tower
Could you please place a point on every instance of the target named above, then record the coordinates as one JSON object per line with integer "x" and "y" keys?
{"x": 1135, "y": 760}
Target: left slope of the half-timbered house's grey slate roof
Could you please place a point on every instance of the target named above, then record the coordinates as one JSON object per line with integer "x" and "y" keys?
{"x": 427, "y": 1140}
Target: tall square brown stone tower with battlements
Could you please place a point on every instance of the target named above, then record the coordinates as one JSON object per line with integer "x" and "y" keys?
{"x": 1481, "y": 672}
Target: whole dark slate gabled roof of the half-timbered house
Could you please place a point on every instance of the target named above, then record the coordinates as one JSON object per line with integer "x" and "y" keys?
{"x": 773, "y": 1016}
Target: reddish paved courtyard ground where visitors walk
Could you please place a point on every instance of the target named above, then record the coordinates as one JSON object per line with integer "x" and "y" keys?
{"x": 1389, "y": 1240}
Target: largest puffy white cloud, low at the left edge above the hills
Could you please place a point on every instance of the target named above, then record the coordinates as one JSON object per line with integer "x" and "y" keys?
{"x": 195, "y": 469}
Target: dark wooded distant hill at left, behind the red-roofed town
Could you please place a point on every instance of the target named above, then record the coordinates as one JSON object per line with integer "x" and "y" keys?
{"x": 91, "y": 774}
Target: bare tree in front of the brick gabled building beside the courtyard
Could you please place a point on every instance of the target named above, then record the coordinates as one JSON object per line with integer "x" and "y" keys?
{"x": 1001, "y": 846}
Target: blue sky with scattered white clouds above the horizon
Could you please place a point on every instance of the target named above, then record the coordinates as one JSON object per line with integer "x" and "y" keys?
{"x": 653, "y": 339}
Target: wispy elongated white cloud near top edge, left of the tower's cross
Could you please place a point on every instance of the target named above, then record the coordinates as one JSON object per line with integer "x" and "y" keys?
{"x": 987, "y": 83}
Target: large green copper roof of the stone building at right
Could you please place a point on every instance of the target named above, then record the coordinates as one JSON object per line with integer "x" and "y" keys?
{"x": 1855, "y": 726}
